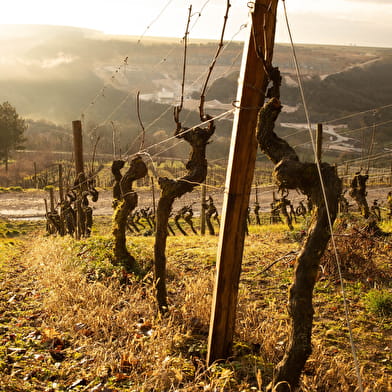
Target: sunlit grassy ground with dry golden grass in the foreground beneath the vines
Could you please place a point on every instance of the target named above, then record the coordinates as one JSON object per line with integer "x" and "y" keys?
{"x": 68, "y": 321}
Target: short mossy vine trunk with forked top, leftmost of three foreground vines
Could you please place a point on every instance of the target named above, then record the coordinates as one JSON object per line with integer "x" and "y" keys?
{"x": 125, "y": 200}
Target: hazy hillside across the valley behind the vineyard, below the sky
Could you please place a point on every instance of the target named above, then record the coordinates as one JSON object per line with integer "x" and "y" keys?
{"x": 53, "y": 75}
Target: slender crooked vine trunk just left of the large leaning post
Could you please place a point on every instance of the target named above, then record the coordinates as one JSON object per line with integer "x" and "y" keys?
{"x": 172, "y": 189}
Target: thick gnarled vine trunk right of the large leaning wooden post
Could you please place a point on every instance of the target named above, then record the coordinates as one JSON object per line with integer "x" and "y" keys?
{"x": 290, "y": 173}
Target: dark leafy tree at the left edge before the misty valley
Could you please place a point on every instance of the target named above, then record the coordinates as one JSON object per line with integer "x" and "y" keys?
{"x": 12, "y": 128}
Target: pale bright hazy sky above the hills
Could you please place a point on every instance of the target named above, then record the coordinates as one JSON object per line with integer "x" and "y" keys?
{"x": 345, "y": 22}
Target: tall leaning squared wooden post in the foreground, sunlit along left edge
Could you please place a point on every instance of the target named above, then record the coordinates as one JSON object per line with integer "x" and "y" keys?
{"x": 253, "y": 82}
